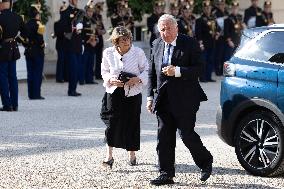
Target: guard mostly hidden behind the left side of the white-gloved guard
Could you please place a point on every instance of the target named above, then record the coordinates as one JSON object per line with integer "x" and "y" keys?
{"x": 62, "y": 62}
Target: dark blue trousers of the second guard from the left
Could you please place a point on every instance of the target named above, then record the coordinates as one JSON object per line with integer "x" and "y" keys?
{"x": 35, "y": 70}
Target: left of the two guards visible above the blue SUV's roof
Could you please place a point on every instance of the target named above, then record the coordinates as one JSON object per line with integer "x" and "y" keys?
{"x": 251, "y": 13}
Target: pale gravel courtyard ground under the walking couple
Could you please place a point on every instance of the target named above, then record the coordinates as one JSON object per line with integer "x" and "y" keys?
{"x": 58, "y": 143}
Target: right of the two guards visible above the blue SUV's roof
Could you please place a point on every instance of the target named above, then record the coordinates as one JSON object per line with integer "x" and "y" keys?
{"x": 266, "y": 17}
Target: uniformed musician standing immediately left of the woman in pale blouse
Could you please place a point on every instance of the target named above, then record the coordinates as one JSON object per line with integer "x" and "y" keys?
{"x": 100, "y": 31}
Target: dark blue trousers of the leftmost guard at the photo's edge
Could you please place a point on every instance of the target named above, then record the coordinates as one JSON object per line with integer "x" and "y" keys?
{"x": 8, "y": 84}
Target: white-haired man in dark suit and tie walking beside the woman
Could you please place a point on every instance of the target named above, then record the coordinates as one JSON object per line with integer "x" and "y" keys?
{"x": 175, "y": 66}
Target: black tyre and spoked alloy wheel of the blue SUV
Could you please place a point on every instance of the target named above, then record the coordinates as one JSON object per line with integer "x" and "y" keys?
{"x": 259, "y": 144}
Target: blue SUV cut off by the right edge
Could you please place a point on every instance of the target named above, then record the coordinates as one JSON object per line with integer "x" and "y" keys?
{"x": 251, "y": 113}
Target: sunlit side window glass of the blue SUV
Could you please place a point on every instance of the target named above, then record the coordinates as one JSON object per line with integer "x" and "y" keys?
{"x": 268, "y": 48}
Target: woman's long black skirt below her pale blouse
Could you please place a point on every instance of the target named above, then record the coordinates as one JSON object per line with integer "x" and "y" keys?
{"x": 122, "y": 118}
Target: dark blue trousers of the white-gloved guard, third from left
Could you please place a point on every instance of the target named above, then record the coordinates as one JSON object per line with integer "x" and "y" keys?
{"x": 74, "y": 61}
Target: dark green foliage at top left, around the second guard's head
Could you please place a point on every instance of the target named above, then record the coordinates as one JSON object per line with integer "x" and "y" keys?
{"x": 22, "y": 7}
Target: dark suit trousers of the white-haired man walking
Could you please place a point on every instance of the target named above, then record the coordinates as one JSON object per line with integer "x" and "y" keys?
{"x": 169, "y": 122}
